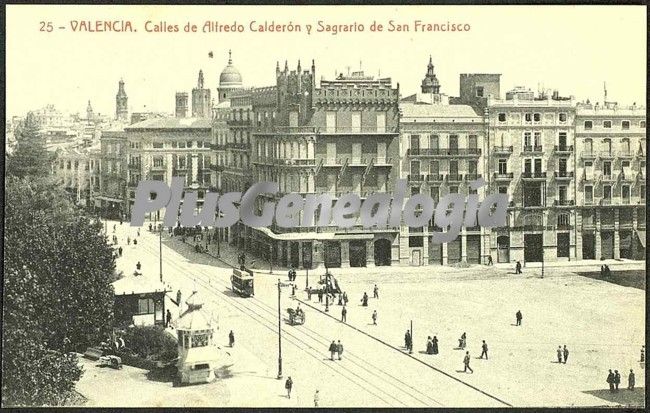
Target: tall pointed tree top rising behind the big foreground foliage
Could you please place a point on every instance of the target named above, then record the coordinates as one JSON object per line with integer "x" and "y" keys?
{"x": 30, "y": 157}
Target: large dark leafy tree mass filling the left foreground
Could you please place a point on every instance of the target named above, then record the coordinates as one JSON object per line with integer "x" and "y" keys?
{"x": 57, "y": 291}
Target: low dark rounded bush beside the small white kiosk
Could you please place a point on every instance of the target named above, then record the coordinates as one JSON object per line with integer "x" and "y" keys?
{"x": 151, "y": 343}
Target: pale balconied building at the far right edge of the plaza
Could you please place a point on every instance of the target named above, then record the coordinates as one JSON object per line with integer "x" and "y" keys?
{"x": 610, "y": 181}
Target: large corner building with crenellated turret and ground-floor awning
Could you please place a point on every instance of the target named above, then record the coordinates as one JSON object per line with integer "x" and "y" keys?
{"x": 337, "y": 138}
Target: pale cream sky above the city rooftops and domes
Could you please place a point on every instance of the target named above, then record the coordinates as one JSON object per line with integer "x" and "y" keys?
{"x": 573, "y": 49}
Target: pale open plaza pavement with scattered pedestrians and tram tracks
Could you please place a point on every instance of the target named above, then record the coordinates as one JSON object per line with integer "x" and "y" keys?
{"x": 601, "y": 324}
